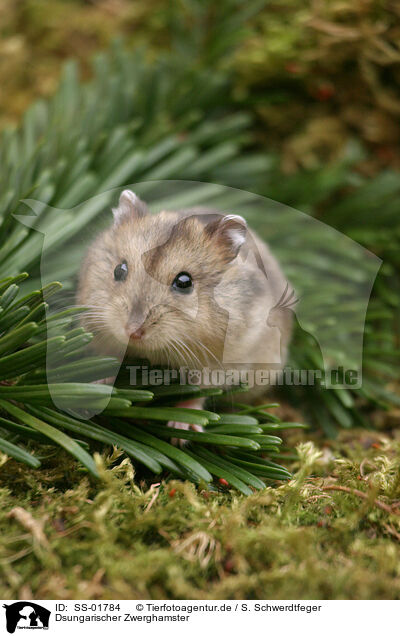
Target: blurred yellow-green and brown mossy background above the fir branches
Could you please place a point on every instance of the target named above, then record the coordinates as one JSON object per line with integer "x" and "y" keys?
{"x": 315, "y": 74}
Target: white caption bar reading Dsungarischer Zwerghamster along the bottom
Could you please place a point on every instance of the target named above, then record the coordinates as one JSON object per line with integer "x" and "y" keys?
{"x": 174, "y": 617}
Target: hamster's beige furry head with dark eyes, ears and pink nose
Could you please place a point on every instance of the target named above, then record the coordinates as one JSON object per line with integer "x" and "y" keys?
{"x": 148, "y": 282}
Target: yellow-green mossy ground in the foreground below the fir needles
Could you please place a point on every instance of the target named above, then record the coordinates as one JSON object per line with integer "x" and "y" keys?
{"x": 66, "y": 537}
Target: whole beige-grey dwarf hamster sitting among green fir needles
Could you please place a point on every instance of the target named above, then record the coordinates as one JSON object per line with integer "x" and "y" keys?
{"x": 191, "y": 288}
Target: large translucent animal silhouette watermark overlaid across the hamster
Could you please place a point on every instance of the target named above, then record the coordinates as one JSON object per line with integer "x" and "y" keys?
{"x": 205, "y": 292}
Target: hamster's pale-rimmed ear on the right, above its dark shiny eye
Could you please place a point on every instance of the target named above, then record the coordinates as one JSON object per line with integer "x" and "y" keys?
{"x": 229, "y": 233}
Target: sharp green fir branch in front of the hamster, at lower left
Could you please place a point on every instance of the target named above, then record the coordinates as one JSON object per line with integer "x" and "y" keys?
{"x": 30, "y": 418}
